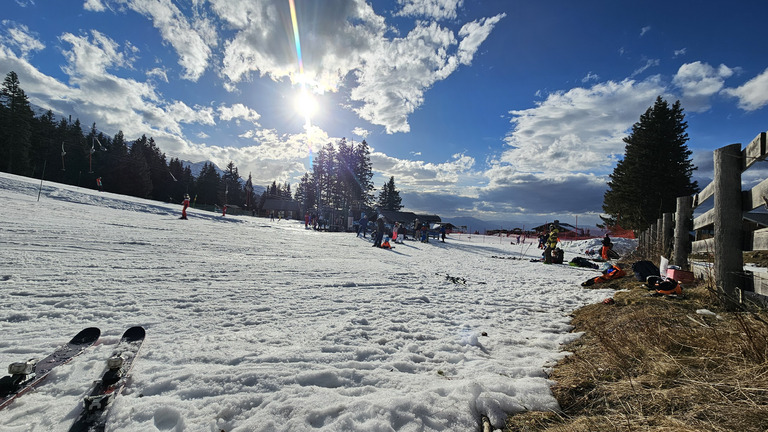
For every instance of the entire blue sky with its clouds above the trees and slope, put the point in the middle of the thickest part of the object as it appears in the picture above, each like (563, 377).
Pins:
(502, 110)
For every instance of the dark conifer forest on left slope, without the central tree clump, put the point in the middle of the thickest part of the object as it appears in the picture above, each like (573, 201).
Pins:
(30, 144)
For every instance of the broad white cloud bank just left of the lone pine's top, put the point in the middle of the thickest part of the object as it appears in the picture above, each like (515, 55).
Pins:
(579, 130)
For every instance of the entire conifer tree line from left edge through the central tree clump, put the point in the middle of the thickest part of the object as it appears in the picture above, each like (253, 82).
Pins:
(340, 180)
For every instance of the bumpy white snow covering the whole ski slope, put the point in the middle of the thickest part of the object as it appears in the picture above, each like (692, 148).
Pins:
(259, 325)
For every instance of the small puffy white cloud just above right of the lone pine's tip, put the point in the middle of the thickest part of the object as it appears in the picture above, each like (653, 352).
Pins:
(699, 81)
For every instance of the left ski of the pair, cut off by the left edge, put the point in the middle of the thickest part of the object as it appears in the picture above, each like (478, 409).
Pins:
(24, 376)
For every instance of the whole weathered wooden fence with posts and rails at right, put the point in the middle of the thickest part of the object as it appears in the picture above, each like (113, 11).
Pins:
(723, 232)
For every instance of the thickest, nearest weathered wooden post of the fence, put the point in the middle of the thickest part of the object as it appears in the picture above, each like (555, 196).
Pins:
(729, 262)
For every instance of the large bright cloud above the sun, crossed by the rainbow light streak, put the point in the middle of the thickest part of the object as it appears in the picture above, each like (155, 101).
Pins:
(348, 39)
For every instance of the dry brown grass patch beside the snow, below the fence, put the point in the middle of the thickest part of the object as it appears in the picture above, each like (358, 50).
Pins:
(655, 364)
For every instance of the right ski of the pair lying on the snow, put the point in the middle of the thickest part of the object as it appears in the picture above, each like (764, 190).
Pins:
(93, 416)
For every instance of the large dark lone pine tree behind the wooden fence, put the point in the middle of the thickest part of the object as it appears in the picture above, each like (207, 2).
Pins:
(655, 170)
